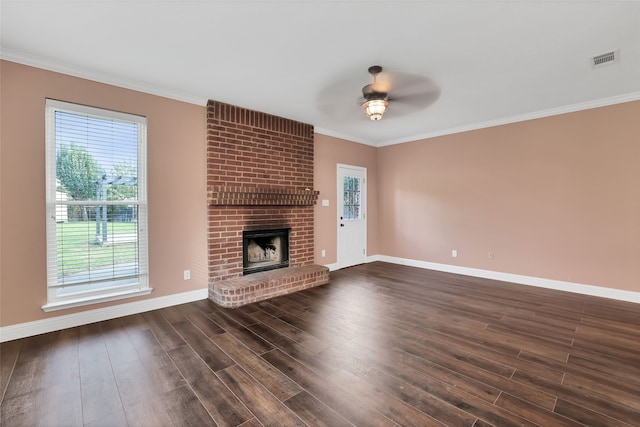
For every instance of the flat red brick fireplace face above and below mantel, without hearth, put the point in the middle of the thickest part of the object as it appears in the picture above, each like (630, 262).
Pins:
(249, 149)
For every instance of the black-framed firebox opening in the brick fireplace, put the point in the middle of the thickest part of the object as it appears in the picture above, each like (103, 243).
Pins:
(264, 250)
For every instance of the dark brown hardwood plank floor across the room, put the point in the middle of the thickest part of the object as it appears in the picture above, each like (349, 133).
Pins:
(382, 344)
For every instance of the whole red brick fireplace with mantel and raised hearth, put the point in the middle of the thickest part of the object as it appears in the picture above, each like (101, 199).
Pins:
(259, 177)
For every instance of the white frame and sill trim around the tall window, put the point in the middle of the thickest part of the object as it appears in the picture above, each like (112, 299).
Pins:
(141, 287)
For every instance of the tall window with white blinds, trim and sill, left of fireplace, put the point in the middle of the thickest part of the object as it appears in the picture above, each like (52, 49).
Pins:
(96, 205)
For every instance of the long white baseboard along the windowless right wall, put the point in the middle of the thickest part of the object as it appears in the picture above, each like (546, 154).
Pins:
(597, 291)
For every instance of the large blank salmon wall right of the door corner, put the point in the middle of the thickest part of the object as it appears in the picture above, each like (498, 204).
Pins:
(555, 198)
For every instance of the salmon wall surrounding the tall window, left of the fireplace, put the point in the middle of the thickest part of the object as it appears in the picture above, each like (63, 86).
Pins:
(176, 186)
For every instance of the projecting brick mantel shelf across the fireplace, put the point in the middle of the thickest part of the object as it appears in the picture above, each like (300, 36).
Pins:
(256, 196)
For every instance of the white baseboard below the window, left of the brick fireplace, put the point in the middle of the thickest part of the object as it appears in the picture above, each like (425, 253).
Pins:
(36, 327)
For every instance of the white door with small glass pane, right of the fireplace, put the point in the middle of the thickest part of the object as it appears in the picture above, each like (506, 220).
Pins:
(352, 219)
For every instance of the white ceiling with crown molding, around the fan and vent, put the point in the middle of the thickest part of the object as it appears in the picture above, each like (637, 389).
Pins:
(483, 62)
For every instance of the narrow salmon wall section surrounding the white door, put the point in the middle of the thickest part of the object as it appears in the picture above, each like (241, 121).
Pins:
(329, 152)
